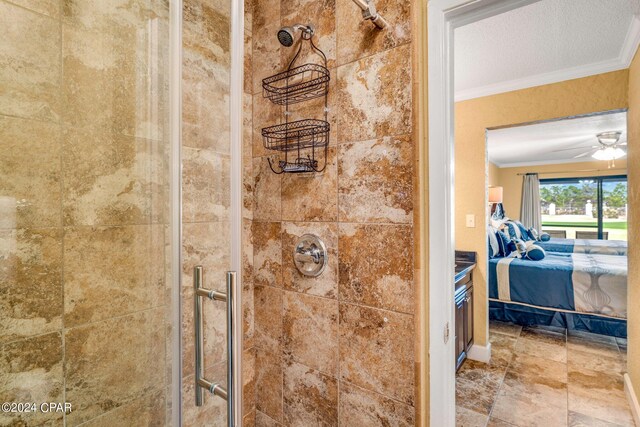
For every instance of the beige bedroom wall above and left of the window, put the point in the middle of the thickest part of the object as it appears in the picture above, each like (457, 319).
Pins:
(511, 182)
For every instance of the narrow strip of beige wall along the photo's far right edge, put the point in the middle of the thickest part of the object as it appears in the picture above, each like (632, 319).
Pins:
(633, 323)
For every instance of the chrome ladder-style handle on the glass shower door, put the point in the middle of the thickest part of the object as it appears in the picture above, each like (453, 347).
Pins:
(201, 383)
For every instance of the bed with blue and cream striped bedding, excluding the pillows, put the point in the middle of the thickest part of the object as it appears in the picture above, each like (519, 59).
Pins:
(583, 291)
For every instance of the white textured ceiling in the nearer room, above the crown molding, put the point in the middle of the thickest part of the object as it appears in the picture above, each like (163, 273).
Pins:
(544, 42)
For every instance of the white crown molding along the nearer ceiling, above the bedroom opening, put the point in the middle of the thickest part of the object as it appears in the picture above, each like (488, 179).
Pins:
(627, 52)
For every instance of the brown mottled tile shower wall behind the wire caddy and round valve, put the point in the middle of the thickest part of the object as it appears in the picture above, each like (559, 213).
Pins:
(338, 349)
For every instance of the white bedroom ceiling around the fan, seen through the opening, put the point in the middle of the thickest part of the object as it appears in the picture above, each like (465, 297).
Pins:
(535, 144)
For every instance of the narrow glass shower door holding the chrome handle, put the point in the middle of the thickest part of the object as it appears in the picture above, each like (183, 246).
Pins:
(210, 213)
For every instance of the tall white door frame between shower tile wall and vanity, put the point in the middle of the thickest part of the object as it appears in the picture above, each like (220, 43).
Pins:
(443, 17)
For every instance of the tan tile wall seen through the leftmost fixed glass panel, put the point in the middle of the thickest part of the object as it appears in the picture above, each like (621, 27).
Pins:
(83, 186)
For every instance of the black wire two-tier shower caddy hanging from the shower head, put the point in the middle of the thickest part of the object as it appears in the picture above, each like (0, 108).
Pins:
(301, 140)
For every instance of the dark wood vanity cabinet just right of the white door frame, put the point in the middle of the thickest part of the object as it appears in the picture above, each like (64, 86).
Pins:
(464, 318)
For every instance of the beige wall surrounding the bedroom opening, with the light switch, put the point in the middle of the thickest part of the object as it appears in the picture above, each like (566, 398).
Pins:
(580, 96)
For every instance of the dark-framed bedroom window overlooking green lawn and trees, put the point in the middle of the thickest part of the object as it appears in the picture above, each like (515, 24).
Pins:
(585, 208)
